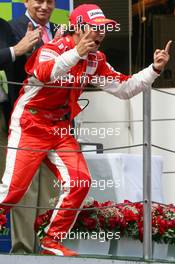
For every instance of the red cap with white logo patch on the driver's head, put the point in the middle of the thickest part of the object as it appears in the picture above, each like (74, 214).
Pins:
(90, 14)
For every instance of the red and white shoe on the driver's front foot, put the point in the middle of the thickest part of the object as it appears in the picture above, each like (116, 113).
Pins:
(53, 247)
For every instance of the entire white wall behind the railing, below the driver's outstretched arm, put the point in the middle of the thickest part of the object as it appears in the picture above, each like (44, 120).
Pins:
(105, 107)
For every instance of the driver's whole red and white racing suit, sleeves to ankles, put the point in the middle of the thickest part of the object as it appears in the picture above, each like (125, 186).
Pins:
(40, 115)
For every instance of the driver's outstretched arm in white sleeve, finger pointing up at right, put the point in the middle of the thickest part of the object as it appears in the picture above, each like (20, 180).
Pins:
(126, 87)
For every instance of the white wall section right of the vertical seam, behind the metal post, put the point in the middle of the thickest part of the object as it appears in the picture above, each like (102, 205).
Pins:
(163, 106)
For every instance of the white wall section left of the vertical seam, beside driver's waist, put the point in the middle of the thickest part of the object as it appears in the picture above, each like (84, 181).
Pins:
(105, 107)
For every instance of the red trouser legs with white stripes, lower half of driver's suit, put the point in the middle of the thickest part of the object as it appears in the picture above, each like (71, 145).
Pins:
(69, 168)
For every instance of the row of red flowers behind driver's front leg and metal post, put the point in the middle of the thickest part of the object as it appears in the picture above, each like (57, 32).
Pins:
(126, 218)
